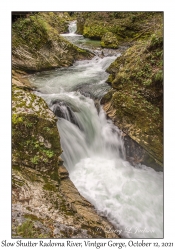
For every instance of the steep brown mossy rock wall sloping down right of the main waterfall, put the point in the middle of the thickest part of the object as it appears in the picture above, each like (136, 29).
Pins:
(136, 101)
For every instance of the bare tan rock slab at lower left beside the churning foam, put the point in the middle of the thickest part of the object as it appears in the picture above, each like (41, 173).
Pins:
(62, 213)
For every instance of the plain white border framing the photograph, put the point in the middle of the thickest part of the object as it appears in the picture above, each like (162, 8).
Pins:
(5, 94)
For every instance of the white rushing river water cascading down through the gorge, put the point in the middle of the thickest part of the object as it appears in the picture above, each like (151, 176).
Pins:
(93, 151)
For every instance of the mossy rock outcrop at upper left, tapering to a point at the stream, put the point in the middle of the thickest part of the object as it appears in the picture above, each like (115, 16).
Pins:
(37, 44)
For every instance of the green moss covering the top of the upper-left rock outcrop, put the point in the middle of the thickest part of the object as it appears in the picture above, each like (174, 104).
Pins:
(37, 29)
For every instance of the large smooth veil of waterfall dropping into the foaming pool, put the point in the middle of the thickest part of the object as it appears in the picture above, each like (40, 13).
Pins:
(84, 132)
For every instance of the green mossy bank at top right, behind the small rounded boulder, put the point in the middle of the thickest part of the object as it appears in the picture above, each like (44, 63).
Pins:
(126, 26)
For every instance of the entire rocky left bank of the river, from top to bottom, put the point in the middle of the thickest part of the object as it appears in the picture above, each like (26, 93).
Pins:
(45, 203)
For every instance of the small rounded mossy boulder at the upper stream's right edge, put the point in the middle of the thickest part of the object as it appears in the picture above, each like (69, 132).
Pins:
(109, 40)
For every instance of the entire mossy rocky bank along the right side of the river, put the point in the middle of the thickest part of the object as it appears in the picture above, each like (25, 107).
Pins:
(135, 102)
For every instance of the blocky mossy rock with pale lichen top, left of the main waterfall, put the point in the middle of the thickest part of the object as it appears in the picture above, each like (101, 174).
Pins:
(35, 138)
